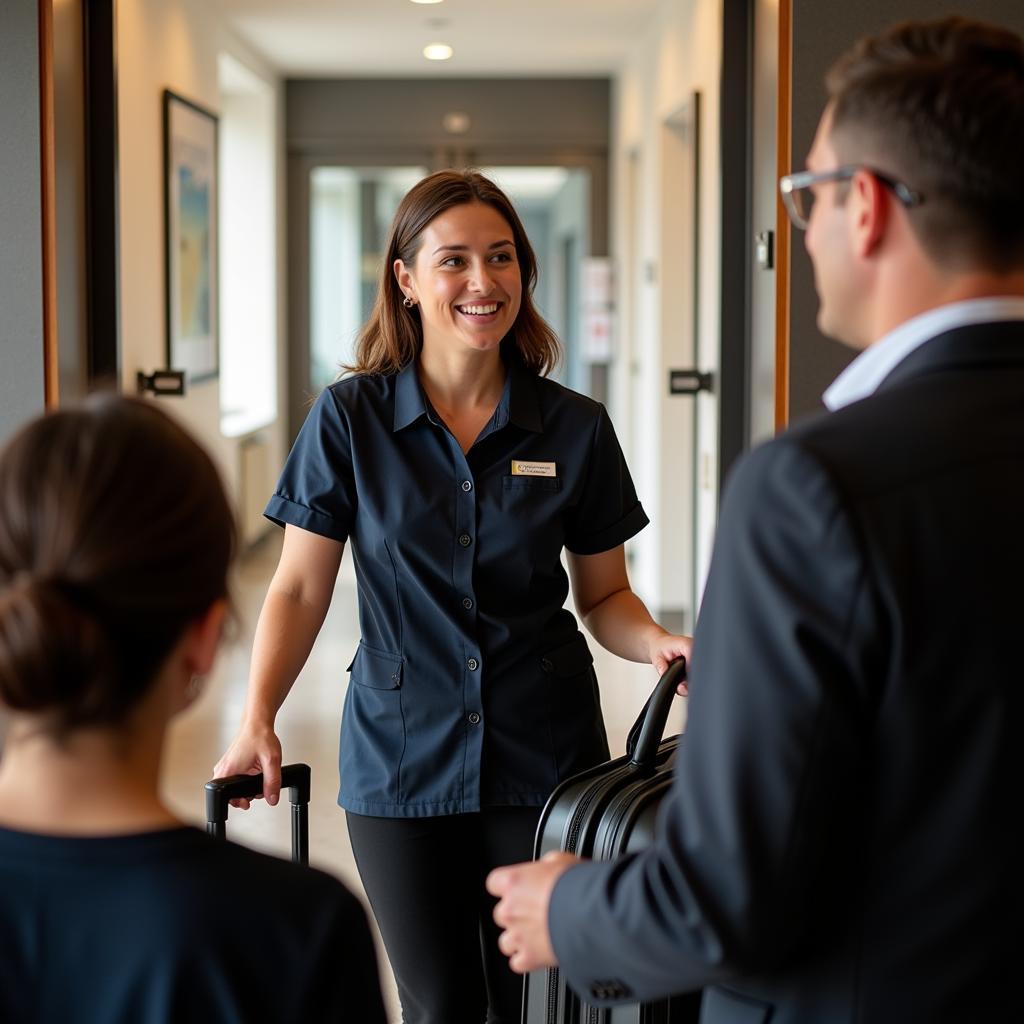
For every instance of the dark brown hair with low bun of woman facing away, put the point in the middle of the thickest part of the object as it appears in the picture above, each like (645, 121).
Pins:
(115, 535)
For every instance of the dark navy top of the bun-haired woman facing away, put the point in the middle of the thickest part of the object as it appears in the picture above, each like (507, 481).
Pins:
(173, 927)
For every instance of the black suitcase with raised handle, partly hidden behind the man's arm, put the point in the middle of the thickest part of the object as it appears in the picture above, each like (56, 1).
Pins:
(603, 814)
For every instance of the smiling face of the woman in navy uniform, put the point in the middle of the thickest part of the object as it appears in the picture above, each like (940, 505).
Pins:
(465, 279)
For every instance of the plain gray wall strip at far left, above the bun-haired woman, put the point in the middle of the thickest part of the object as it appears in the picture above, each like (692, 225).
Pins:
(22, 385)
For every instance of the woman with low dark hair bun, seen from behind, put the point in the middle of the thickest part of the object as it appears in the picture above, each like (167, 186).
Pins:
(116, 540)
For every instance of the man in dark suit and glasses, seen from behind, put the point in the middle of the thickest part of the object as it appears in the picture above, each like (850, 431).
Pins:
(840, 843)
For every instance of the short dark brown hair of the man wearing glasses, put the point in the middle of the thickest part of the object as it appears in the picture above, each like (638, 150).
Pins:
(941, 106)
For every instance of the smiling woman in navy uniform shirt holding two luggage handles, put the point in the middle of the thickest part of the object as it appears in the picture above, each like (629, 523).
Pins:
(458, 473)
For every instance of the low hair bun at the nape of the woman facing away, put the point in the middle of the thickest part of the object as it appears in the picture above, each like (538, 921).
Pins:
(53, 651)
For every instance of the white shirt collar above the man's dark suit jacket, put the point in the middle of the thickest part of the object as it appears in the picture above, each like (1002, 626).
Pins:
(863, 377)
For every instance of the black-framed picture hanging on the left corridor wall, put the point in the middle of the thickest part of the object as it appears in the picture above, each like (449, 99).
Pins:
(191, 230)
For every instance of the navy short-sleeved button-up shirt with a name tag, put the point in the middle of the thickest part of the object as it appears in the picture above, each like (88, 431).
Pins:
(473, 686)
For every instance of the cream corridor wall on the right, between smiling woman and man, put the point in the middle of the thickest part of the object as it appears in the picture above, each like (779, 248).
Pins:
(679, 53)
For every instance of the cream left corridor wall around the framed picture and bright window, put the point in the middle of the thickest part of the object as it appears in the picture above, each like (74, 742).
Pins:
(175, 45)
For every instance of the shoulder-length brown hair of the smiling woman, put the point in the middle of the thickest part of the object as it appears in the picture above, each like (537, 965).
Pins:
(394, 335)
